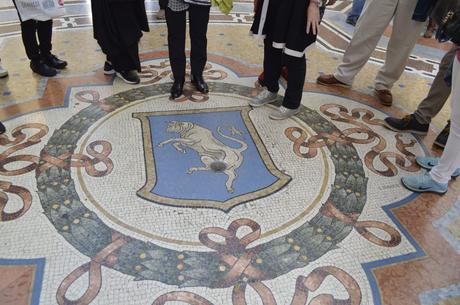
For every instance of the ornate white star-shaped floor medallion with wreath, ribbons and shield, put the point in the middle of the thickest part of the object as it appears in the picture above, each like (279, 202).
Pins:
(202, 198)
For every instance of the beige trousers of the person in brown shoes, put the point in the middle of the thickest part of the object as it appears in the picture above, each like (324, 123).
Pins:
(376, 17)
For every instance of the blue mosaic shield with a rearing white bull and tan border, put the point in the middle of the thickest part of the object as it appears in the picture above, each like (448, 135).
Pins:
(201, 158)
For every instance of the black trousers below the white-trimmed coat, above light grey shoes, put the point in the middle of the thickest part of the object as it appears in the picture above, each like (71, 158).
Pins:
(274, 60)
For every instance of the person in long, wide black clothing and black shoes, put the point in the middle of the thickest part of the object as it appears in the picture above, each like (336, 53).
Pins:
(118, 27)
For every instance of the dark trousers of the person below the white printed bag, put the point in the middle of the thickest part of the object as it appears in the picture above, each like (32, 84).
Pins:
(30, 29)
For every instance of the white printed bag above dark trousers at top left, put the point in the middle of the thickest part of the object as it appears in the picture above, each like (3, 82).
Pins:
(40, 10)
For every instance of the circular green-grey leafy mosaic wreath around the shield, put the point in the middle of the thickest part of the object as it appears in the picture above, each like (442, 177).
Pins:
(147, 261)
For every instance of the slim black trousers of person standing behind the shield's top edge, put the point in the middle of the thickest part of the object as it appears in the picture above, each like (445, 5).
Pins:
(198, 22)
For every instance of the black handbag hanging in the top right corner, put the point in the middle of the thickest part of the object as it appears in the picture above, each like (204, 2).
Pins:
(446, 14)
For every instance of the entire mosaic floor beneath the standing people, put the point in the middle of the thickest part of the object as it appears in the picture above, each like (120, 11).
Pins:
(103, 202)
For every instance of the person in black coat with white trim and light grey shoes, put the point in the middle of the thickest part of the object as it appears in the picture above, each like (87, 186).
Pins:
(288, 28)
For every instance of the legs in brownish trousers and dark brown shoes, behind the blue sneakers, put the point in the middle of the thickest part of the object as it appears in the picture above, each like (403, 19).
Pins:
(419, 121)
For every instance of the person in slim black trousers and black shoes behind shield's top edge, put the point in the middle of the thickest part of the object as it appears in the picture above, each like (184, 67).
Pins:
(198, 11)
